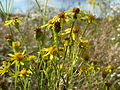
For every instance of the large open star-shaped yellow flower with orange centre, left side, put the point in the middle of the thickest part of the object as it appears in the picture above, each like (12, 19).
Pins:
(19, 57)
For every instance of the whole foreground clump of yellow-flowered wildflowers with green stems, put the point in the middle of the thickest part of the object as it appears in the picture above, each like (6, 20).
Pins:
(55, 66)
